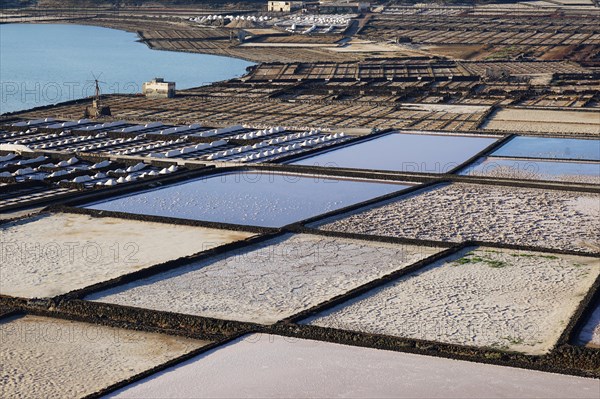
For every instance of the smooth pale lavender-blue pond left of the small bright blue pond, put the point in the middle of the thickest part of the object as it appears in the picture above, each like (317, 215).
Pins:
(406, 152)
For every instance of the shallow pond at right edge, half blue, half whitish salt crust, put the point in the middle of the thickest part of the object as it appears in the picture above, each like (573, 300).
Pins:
(580, 172)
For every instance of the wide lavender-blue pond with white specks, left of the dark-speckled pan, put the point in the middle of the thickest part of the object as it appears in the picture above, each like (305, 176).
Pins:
(250, 198)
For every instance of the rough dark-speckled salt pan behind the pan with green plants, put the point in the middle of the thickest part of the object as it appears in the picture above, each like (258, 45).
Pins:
(461, 212)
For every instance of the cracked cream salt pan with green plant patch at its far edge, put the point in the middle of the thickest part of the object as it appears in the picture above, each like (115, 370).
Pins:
(504, 299)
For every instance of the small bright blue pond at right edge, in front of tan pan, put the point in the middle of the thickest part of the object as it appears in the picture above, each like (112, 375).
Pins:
(551, 148)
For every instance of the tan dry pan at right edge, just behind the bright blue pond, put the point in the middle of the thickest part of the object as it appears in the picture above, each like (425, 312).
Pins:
(544, 121)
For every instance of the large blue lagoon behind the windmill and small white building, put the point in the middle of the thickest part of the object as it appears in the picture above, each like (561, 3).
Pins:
(50, 63)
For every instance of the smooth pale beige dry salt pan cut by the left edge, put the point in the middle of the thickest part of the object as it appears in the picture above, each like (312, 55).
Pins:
(49, 255)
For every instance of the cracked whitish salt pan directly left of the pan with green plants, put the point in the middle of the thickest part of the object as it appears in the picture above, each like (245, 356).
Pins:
(268, 282)
